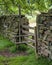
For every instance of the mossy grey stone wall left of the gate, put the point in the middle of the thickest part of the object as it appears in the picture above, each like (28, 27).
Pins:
(9, 26)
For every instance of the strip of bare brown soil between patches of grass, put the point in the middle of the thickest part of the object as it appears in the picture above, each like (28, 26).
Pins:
(6, 53)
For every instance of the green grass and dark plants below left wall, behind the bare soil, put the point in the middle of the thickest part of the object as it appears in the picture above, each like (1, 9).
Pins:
(5, 43)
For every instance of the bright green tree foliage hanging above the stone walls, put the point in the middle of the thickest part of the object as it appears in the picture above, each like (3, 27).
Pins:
(11, 6)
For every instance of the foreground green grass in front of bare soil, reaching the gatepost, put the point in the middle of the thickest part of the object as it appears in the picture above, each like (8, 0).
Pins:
(31, 59)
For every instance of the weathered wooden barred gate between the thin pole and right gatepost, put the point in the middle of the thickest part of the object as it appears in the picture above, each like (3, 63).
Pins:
(28, 37)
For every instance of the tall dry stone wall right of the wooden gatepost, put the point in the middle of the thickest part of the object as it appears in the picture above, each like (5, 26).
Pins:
(44, 30)
